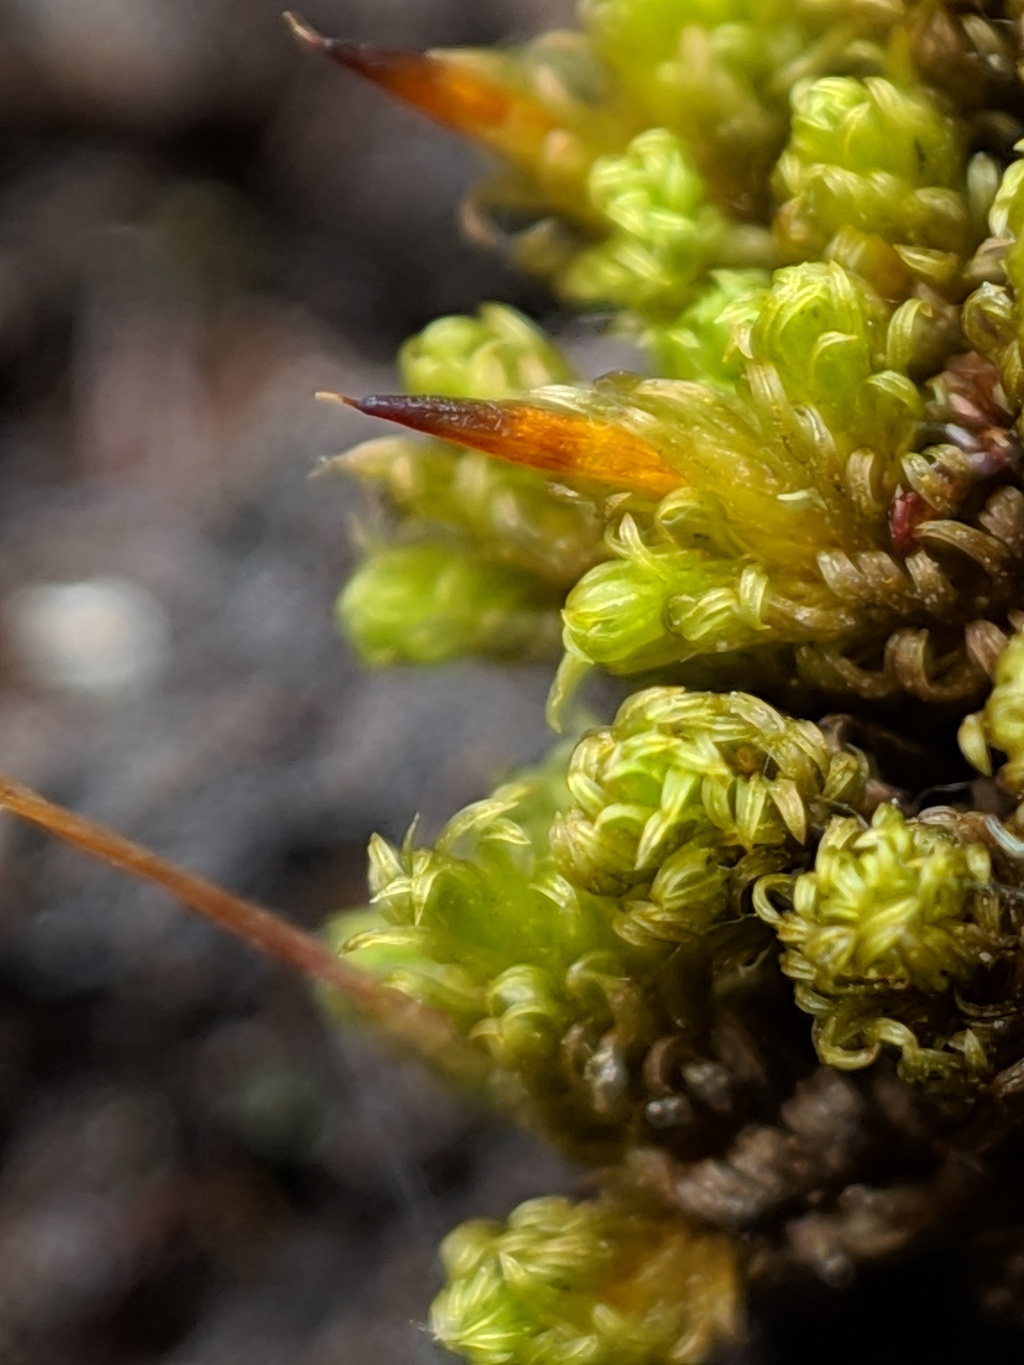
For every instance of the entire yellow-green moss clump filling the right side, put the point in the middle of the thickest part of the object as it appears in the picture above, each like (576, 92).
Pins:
(810, 491)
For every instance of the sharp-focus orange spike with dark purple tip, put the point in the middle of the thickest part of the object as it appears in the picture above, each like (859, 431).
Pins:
(558, 443)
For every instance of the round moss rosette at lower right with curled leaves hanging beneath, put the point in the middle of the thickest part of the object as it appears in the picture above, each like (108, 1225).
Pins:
(894, 922)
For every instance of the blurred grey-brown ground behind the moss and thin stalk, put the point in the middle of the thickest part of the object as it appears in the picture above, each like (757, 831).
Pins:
(201, 226)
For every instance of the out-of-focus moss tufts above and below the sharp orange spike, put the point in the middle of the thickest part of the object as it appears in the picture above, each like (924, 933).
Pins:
(484, 555)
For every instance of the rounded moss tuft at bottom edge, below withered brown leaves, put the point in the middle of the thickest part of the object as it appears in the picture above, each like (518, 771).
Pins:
(604, 1284)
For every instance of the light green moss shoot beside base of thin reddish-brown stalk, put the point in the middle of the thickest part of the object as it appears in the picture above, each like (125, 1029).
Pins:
(491, 933)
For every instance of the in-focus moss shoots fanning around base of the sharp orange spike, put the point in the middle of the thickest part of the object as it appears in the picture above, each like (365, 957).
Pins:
(780, 530)
